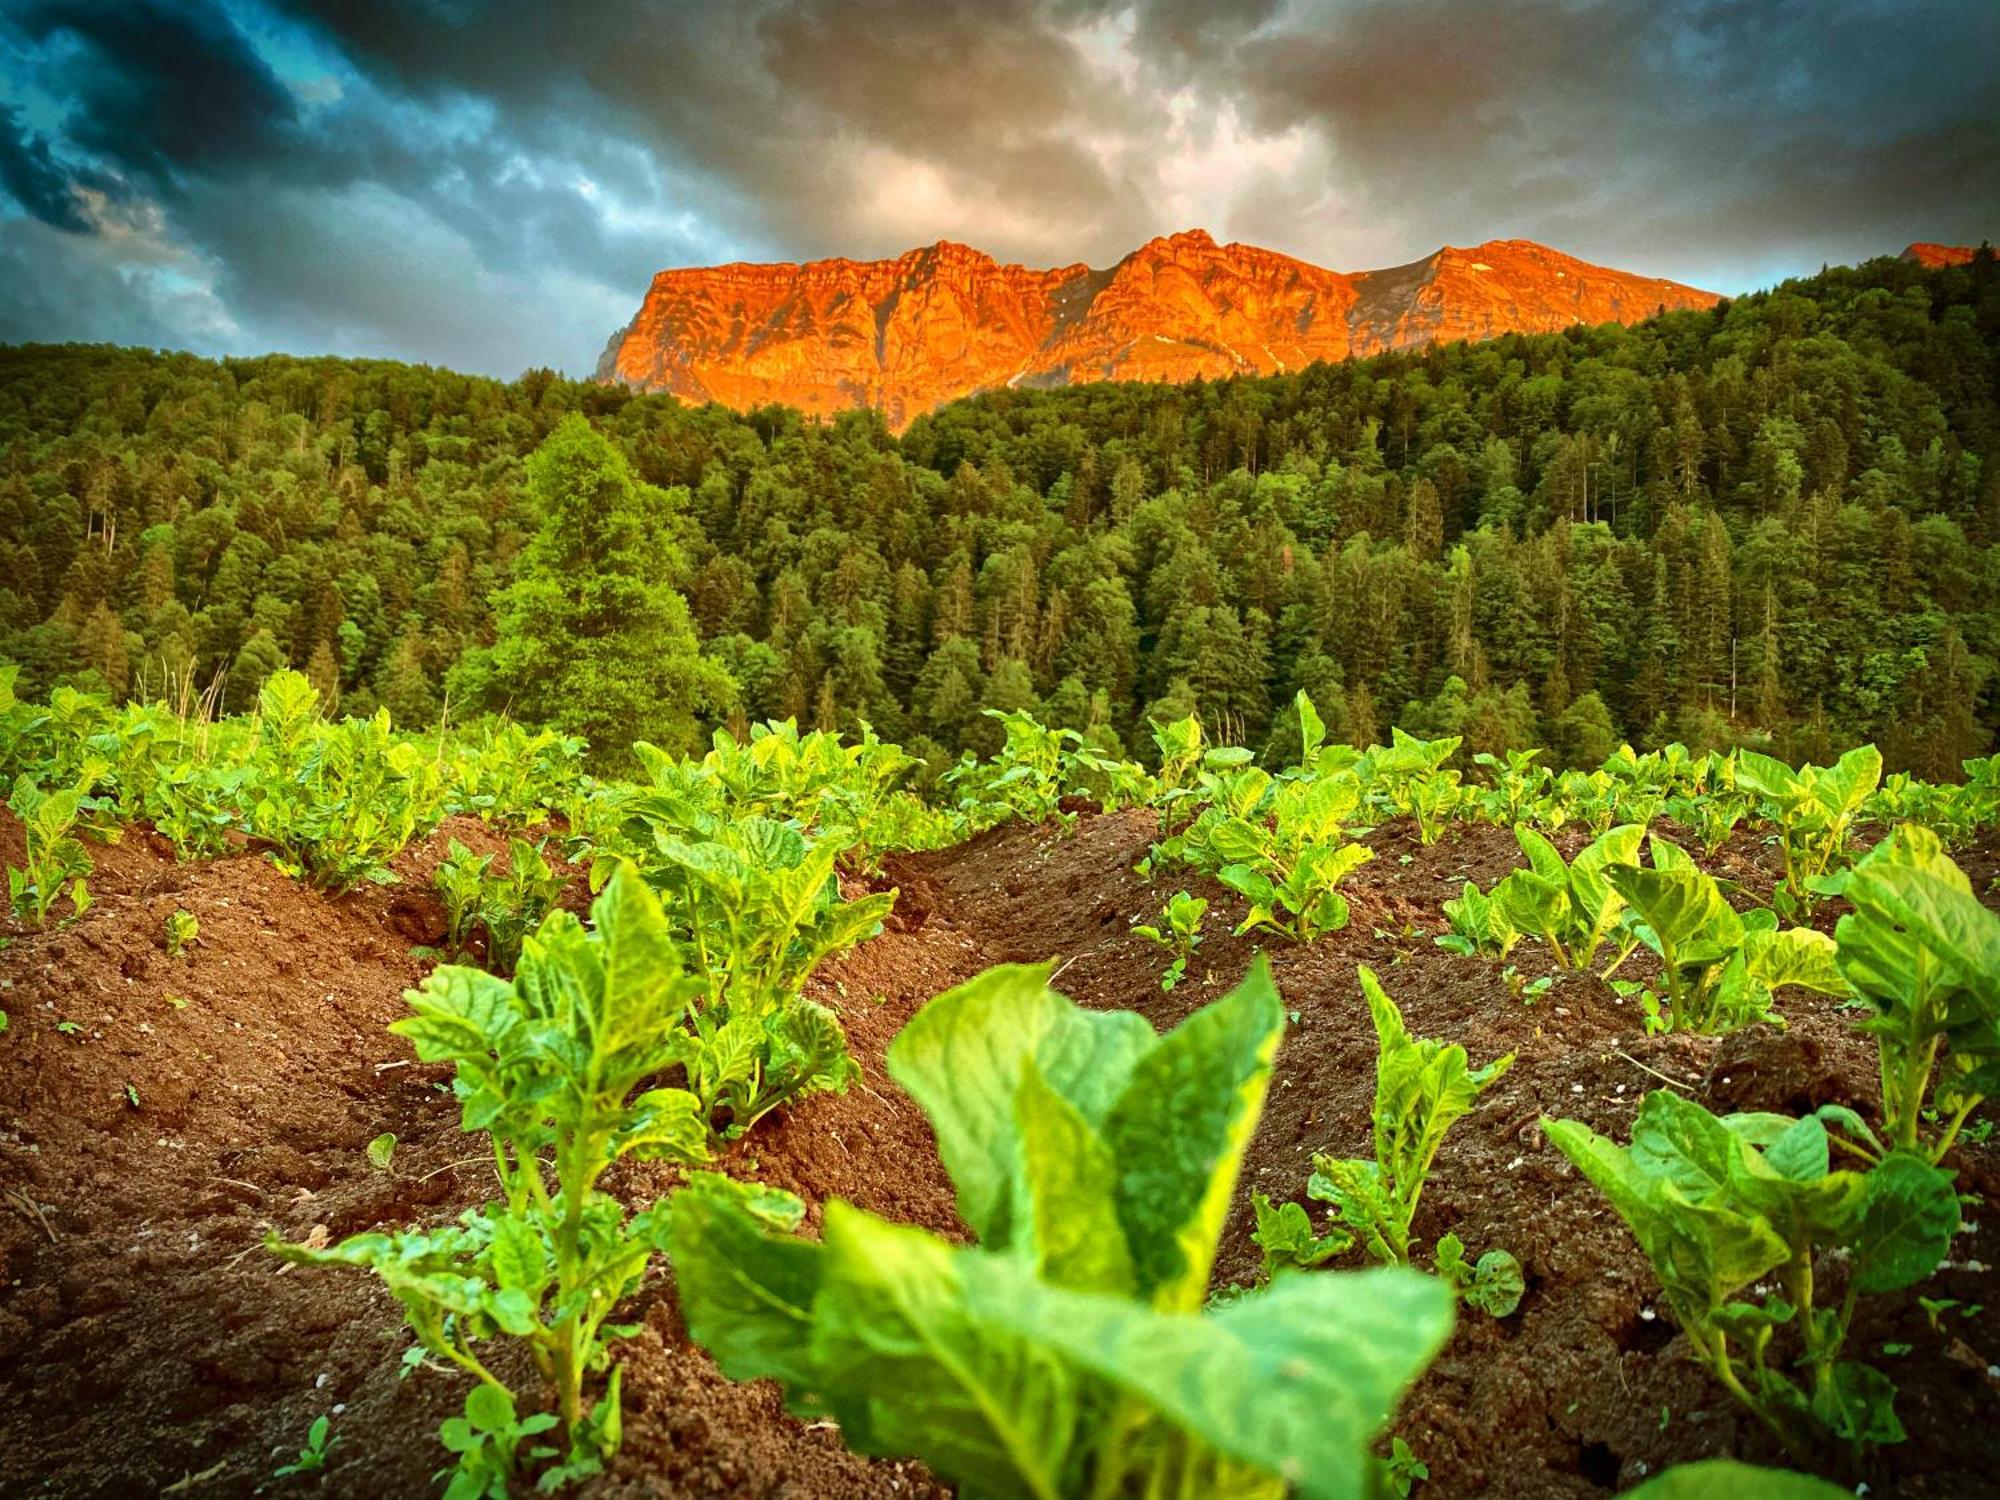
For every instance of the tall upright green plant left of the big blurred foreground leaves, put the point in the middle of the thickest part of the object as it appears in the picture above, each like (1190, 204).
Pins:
(547, 1069)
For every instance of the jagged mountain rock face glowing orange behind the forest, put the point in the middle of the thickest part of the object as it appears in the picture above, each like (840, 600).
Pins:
(939, 323)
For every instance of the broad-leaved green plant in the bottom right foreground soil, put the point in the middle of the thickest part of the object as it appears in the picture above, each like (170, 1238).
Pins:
(1723, 1205)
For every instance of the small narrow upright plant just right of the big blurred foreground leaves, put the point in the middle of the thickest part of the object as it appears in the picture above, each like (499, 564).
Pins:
(1423, 1089)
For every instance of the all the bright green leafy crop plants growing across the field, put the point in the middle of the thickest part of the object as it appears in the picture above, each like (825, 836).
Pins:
(1075, 1349)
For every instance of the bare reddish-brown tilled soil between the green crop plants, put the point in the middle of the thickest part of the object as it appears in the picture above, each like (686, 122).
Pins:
(161, 1115)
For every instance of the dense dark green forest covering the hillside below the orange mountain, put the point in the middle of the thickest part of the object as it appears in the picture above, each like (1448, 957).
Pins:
(1777, 523)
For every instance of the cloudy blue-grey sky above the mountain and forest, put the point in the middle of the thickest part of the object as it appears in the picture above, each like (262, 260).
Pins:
(491, 185)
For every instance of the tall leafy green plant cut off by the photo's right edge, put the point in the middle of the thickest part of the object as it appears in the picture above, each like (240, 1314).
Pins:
(1923, 955)
